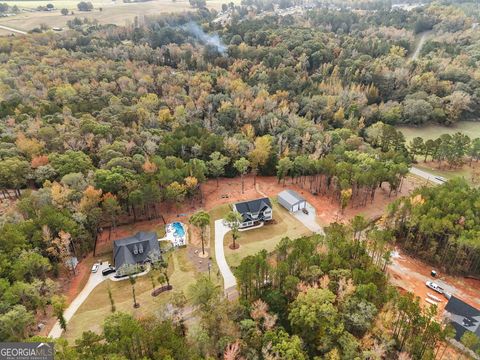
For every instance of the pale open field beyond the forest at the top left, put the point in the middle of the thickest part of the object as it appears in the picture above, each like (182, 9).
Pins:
(117, 13)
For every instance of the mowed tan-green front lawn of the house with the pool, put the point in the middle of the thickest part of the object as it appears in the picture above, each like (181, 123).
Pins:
(92, 313)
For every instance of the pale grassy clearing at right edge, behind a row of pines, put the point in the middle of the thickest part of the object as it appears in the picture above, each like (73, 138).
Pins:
(469, 128)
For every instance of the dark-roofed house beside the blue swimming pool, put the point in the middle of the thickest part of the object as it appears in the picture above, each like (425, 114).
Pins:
(138, 249)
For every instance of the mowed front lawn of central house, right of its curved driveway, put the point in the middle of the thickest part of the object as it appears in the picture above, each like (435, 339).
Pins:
(266, 237)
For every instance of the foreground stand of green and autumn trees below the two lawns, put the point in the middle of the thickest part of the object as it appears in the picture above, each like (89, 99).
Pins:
(313, 297)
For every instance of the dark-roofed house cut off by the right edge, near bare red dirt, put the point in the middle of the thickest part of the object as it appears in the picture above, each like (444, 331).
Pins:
(463, 317)
